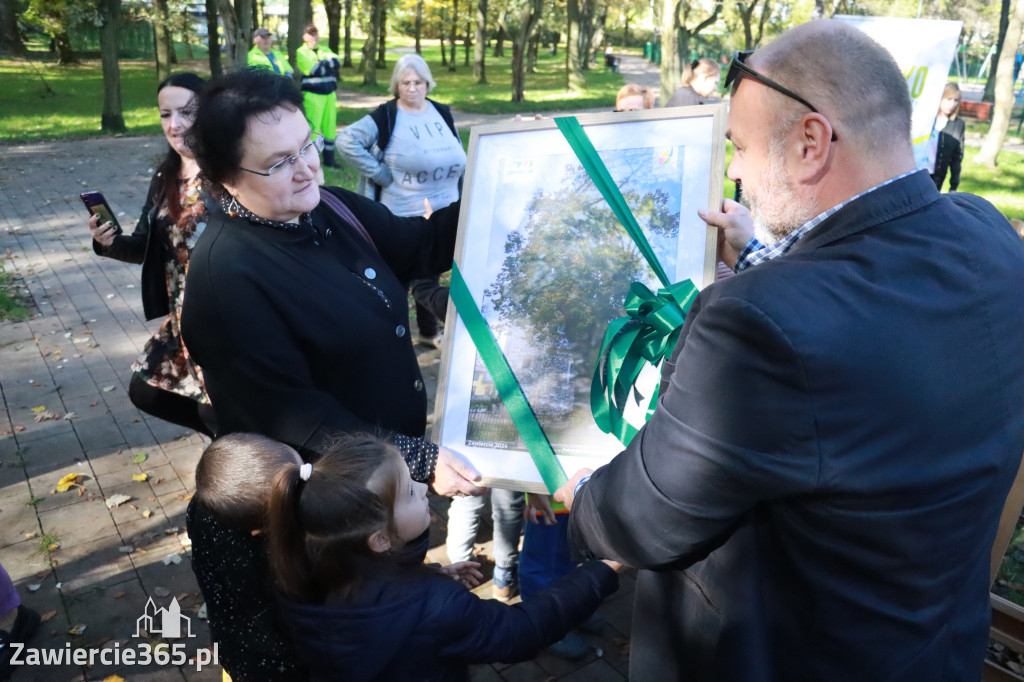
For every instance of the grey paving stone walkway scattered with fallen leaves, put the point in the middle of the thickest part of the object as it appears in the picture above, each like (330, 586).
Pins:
(64, 380)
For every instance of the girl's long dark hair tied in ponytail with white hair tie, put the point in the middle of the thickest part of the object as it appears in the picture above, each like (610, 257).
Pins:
(319, 530)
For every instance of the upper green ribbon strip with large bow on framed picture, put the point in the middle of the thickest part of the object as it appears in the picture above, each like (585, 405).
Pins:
(654, 322)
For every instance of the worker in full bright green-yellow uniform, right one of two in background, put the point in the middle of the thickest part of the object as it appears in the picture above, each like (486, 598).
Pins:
(319, 67)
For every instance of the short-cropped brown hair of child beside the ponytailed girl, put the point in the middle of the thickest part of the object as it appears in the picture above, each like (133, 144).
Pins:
(234, 477)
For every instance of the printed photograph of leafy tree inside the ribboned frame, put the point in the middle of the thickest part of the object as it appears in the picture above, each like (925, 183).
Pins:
(565, 269)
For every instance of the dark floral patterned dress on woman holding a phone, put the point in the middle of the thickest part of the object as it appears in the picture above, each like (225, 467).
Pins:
(165, 363)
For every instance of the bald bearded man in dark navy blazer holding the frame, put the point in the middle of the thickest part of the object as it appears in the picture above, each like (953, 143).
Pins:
(817, 496)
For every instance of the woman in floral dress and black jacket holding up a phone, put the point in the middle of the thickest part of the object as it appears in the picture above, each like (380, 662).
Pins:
(166, 383)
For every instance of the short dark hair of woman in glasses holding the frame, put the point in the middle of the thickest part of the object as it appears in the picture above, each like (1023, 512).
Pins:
(224, 112)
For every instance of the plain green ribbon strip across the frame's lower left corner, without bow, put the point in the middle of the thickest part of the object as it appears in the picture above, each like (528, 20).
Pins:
(505, 381)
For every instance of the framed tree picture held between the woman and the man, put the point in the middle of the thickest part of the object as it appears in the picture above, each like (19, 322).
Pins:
(549, 267)
